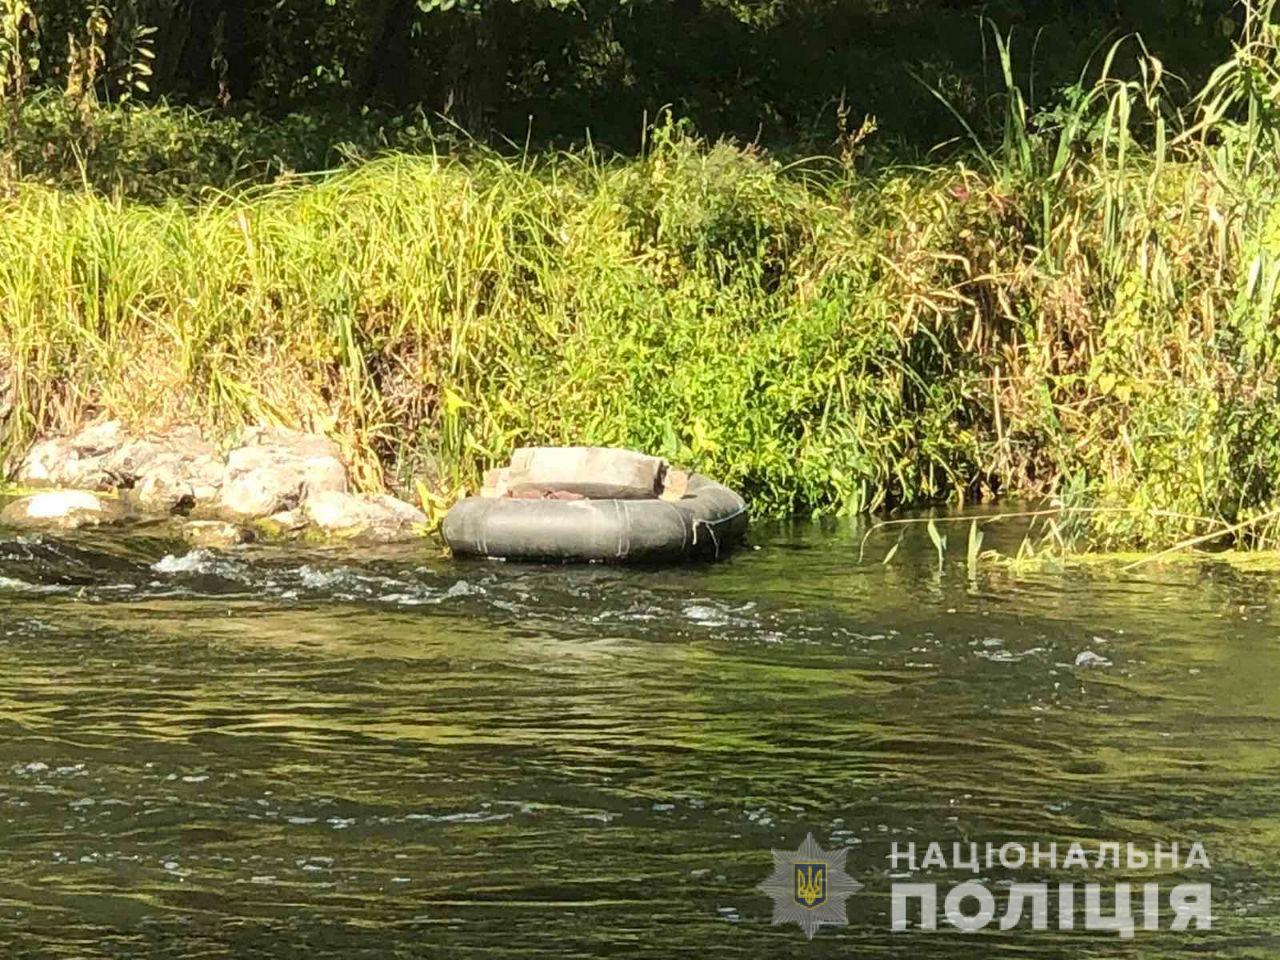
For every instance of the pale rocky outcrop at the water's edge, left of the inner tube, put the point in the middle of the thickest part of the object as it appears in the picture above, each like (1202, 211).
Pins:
(281, 482)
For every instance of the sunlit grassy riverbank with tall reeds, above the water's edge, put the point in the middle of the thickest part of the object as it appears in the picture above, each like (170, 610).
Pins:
(1085, 309)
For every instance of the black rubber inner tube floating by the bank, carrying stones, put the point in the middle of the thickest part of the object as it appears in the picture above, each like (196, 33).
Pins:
(707, 520)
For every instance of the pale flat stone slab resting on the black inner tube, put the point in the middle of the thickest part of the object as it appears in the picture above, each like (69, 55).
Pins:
(592, 472)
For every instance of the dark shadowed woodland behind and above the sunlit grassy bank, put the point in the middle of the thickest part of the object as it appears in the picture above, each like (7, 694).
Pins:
(774, 71)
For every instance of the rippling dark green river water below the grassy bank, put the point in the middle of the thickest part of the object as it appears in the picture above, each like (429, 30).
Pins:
(332, 755)
